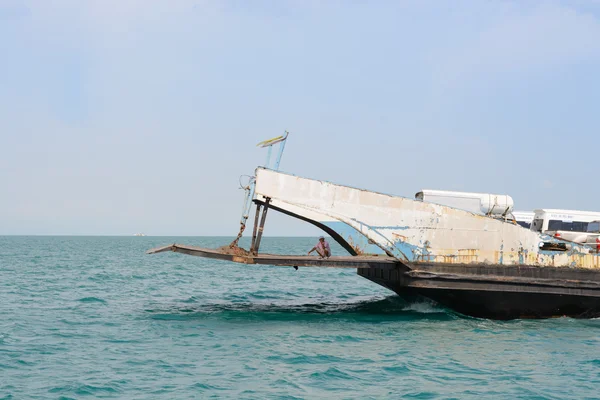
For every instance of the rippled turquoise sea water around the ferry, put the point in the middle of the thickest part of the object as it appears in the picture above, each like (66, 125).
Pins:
(95, 317)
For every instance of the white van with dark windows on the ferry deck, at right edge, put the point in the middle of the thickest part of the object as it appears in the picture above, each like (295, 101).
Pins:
(567, 224)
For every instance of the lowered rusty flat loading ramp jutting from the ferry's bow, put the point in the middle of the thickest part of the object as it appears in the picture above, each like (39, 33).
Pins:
(371, 261)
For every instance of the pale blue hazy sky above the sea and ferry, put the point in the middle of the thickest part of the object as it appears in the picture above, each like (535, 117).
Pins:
(119, 117)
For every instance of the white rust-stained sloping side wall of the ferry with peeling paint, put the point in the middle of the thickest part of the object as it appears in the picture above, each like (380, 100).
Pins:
(413, 231)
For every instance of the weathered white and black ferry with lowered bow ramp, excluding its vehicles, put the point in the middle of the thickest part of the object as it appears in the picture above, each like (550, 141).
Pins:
(478, 265)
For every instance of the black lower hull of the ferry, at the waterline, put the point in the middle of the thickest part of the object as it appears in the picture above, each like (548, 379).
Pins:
(499, 292)
